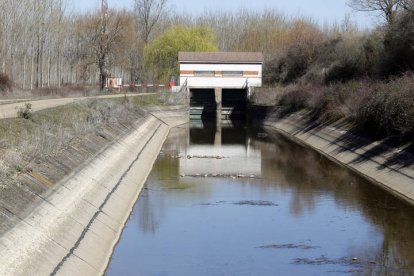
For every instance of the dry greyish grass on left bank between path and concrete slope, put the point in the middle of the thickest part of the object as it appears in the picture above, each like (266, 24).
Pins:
(49, 131)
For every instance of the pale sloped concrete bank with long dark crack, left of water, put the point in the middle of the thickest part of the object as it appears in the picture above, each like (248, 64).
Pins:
(74, 231)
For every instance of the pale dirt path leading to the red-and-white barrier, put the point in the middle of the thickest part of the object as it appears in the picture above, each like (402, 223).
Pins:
(9, 110)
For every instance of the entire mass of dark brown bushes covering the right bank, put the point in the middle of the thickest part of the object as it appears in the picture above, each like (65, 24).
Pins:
(364, 78)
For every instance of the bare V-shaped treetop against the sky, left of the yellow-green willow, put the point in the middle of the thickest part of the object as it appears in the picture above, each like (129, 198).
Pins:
(148, 14)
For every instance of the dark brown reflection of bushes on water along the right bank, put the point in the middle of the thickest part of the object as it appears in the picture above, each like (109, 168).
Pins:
(310, 174)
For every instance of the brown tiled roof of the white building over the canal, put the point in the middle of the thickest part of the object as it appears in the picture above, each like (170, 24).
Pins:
(221, 57)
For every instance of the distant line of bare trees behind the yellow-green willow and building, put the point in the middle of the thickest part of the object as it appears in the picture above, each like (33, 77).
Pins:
(43, 45)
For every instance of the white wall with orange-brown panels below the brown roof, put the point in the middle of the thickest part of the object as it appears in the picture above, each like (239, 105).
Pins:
(250, 72)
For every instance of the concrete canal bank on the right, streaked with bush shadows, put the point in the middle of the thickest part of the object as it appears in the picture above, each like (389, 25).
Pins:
(390, 168)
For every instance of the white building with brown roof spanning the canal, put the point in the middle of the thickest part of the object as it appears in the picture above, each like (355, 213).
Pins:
(234, 70)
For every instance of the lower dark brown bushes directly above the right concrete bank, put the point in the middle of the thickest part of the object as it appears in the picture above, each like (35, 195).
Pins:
(379, 108)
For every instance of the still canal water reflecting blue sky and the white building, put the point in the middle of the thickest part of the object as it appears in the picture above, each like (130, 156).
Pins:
(236, 200)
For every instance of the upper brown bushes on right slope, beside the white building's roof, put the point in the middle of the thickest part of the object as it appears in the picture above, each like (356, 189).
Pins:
(326, 60)
